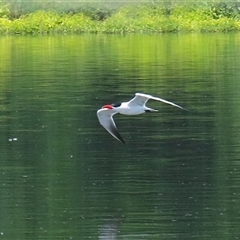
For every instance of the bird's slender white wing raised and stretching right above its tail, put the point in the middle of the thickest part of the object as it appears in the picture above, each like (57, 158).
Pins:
(141, 99)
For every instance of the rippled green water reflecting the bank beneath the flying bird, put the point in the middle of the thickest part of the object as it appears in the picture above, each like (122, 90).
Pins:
(64, 177)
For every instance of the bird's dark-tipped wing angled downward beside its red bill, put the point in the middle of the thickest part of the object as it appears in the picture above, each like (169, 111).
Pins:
(105, 117)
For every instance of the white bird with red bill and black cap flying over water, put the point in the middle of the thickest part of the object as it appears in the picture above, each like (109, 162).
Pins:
(133, 107)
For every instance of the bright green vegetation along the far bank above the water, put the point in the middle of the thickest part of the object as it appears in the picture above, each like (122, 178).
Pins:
(141, 18)
